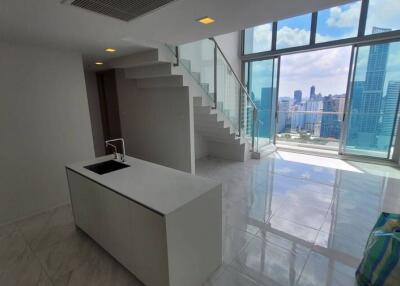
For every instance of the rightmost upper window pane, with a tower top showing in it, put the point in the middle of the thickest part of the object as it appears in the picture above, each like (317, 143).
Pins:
(383, 16)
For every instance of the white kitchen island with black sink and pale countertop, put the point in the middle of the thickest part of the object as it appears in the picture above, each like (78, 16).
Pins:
(162, 224)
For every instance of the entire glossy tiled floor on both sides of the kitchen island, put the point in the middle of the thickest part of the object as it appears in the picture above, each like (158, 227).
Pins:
(289, 219)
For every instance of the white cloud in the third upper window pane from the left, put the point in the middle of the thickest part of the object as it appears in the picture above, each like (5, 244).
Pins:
(344, 18)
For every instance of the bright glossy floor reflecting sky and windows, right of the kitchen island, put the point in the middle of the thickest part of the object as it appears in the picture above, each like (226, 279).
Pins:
(298, 220)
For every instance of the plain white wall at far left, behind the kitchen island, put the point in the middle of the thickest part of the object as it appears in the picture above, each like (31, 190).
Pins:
(45, 124)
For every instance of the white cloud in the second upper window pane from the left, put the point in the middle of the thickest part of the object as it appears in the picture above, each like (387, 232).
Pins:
(292, 37)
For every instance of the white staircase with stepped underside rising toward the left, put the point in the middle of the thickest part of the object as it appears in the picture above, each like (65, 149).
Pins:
(156, 72)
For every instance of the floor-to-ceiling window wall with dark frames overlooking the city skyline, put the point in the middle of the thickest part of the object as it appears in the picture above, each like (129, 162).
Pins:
(325, 99)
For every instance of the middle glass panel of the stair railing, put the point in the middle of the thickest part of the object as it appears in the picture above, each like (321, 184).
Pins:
(228, 91)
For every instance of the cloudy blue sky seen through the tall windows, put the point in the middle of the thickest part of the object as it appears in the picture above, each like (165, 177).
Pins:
(326, 69)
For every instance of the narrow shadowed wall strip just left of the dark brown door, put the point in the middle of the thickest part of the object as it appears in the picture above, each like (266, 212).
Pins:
(95, 113)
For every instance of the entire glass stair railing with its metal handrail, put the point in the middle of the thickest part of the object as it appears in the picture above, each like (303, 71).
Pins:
(208, 66)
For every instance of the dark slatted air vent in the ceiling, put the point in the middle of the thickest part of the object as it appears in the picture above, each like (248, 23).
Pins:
(125, 10)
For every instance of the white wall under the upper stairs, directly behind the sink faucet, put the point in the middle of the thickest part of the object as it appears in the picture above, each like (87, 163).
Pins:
(157, 124)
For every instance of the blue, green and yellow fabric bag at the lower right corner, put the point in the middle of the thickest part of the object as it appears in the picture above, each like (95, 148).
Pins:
(380, 265)
